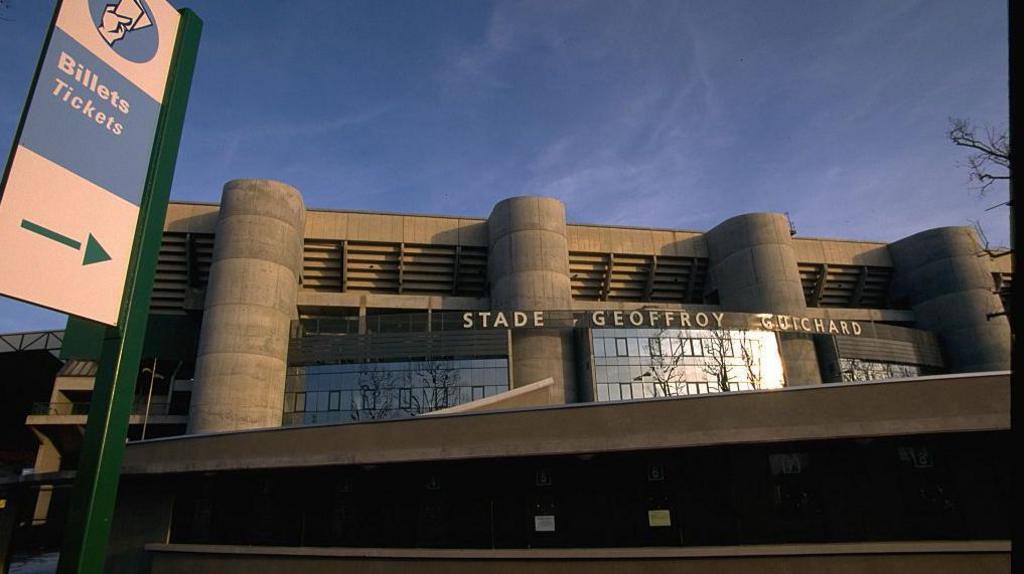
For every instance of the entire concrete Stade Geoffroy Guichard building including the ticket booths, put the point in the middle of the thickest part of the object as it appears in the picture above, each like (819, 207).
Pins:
(331, 389)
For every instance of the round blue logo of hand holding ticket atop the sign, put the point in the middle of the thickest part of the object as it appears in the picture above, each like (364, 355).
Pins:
(127, 27)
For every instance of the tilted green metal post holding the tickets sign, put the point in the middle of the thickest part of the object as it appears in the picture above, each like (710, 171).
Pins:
(84, 547)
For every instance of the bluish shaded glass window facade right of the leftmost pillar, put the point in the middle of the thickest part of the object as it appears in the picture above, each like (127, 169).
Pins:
(340, 393)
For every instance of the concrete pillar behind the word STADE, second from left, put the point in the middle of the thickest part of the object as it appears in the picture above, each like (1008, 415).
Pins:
(529, 269)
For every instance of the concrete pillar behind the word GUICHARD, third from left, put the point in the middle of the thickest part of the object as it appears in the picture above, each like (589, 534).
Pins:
(754, 269)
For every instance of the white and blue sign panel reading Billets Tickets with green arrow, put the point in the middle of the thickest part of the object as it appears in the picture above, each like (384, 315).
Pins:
(71, 196)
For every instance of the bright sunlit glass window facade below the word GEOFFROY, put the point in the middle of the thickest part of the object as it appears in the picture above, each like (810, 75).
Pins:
(641, 364)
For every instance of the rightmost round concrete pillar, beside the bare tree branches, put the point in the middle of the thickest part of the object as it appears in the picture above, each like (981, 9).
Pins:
(946, 276)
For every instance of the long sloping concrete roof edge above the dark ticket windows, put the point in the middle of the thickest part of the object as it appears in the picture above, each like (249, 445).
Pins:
(954, 404)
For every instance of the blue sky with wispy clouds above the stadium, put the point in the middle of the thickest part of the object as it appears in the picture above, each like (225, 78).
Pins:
(659, 113)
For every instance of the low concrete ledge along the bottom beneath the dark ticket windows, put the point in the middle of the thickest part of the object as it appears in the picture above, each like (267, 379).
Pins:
(906, 558)
